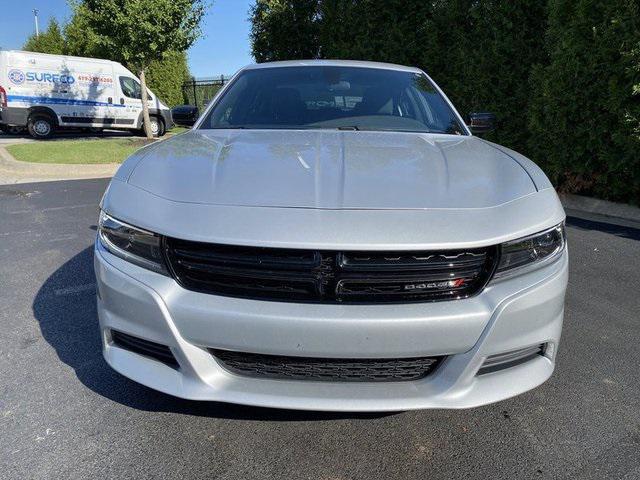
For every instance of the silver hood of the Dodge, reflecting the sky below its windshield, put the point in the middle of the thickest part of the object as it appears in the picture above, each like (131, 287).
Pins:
(329, 170)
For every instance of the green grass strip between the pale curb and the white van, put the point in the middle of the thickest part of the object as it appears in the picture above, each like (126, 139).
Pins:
(70, 152)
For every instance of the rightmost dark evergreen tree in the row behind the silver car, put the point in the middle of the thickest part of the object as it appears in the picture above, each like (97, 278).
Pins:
(582, 119)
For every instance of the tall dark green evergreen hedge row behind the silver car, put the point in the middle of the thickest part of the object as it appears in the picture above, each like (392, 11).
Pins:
(563, 76)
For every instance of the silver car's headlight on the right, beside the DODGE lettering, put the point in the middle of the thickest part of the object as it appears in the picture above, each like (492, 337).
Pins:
(530, 252)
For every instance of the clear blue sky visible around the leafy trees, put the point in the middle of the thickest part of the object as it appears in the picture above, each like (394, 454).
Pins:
(223, 50)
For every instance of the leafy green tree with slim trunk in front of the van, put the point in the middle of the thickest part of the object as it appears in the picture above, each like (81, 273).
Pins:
(138, 33)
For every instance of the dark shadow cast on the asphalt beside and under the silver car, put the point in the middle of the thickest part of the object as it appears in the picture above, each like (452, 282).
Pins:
(65, 308)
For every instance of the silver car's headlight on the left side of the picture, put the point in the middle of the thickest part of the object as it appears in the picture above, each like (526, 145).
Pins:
(130, 243)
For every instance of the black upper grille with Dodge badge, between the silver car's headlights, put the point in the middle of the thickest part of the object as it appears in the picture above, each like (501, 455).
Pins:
(329, 276)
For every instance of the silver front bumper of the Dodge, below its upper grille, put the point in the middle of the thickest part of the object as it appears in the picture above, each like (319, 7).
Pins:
(508, 315)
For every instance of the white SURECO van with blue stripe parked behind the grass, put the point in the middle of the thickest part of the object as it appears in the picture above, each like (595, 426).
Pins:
(45, 92)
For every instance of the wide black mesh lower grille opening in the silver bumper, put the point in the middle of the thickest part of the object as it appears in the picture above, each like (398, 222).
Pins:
(326, 369)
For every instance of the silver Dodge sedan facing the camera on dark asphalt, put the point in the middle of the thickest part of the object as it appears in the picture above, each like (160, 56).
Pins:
(332, 236)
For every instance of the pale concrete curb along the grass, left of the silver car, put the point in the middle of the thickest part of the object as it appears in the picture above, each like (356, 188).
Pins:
(16, 170)
